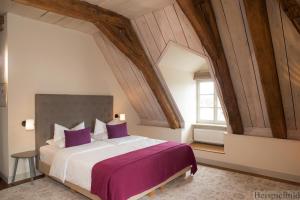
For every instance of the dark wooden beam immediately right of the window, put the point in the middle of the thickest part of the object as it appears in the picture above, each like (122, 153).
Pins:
(201, 15)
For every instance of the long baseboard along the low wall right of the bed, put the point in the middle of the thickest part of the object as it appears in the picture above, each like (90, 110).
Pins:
(262, 172)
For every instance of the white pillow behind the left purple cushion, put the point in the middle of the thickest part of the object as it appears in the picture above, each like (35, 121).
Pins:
(59, 133)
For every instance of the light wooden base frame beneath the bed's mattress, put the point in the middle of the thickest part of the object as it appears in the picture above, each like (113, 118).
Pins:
(45, 169)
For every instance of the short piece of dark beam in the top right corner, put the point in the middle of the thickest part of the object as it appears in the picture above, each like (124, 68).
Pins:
(292, 10)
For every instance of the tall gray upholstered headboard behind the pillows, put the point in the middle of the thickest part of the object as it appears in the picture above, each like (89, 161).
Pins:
(68, 110)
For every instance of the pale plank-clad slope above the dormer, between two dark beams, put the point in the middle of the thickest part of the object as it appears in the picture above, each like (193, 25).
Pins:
(157, 29)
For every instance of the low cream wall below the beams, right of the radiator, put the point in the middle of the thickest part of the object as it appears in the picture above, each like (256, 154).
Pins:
(266, 156)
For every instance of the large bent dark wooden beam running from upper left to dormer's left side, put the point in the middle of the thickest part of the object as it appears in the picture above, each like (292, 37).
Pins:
(120, 32)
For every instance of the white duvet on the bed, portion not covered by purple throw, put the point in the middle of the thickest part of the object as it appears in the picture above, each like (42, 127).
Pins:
(75, 164)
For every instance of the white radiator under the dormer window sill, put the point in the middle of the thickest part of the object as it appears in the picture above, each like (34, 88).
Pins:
(209, 136)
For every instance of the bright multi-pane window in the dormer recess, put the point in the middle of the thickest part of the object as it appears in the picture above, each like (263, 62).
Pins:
(209, 109)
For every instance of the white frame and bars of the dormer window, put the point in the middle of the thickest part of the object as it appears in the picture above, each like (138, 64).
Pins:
(214, 121)
